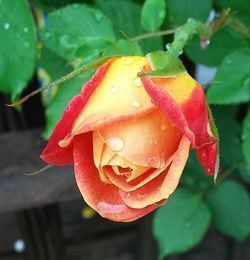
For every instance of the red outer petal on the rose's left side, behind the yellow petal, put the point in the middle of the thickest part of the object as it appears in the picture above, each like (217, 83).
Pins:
(55, 154)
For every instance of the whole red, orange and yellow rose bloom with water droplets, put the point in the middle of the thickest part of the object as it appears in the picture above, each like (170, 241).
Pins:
(129, 138)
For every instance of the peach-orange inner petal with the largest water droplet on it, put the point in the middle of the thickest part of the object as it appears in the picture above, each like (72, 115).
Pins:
(148, 141)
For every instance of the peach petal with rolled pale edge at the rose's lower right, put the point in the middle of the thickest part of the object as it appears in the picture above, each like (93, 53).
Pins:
(162, 186)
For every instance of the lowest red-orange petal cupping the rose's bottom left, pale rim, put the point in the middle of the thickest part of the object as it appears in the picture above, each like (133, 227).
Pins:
(104, 198)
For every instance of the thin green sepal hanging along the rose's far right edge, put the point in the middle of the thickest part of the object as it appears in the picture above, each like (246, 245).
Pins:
(216, 134)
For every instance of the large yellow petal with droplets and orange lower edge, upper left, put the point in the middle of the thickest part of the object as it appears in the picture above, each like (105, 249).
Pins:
(119, 97)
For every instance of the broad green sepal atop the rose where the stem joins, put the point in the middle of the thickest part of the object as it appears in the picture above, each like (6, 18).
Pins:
(164, 65)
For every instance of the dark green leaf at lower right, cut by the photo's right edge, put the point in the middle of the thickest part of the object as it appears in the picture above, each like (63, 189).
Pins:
(229, 203)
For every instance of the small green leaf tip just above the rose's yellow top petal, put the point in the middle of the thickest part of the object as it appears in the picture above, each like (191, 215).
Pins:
(123, 47)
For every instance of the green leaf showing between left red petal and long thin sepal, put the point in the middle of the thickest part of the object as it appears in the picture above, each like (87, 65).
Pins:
(66, 91)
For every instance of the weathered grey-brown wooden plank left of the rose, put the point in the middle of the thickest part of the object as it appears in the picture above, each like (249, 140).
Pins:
(19, 153)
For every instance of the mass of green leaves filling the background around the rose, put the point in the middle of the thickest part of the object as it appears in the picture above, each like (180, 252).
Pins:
(56, 37)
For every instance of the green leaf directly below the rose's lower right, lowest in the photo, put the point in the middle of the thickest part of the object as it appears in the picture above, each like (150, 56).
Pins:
(181, 223)
